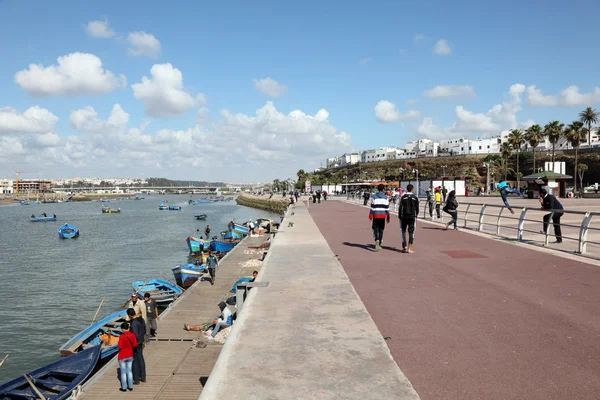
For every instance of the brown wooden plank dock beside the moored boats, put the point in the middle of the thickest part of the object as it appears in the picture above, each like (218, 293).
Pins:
(175, 367)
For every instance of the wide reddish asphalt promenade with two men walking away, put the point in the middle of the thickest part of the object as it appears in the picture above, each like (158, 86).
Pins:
(489, 320)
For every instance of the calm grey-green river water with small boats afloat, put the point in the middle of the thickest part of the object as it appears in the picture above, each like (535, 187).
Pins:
(50, 288)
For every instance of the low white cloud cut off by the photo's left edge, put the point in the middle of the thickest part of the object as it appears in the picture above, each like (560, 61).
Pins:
(34, 120)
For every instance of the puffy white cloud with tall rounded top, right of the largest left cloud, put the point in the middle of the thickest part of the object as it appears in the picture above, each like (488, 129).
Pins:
(163, 93)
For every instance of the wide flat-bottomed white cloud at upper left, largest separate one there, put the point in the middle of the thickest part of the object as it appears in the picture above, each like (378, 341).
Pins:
(75, 74)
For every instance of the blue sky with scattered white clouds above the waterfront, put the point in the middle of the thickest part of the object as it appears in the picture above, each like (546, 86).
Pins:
(252, 91)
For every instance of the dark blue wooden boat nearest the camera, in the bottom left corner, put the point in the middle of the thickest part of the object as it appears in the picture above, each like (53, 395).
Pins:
(55, 381)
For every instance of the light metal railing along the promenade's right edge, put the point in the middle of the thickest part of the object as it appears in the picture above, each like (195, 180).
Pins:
(498, 221)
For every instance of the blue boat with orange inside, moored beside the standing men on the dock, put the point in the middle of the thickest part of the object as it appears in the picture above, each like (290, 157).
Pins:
(105, 333)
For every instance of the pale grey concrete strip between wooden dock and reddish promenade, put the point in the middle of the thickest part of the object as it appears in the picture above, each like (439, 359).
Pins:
(307, 335)
